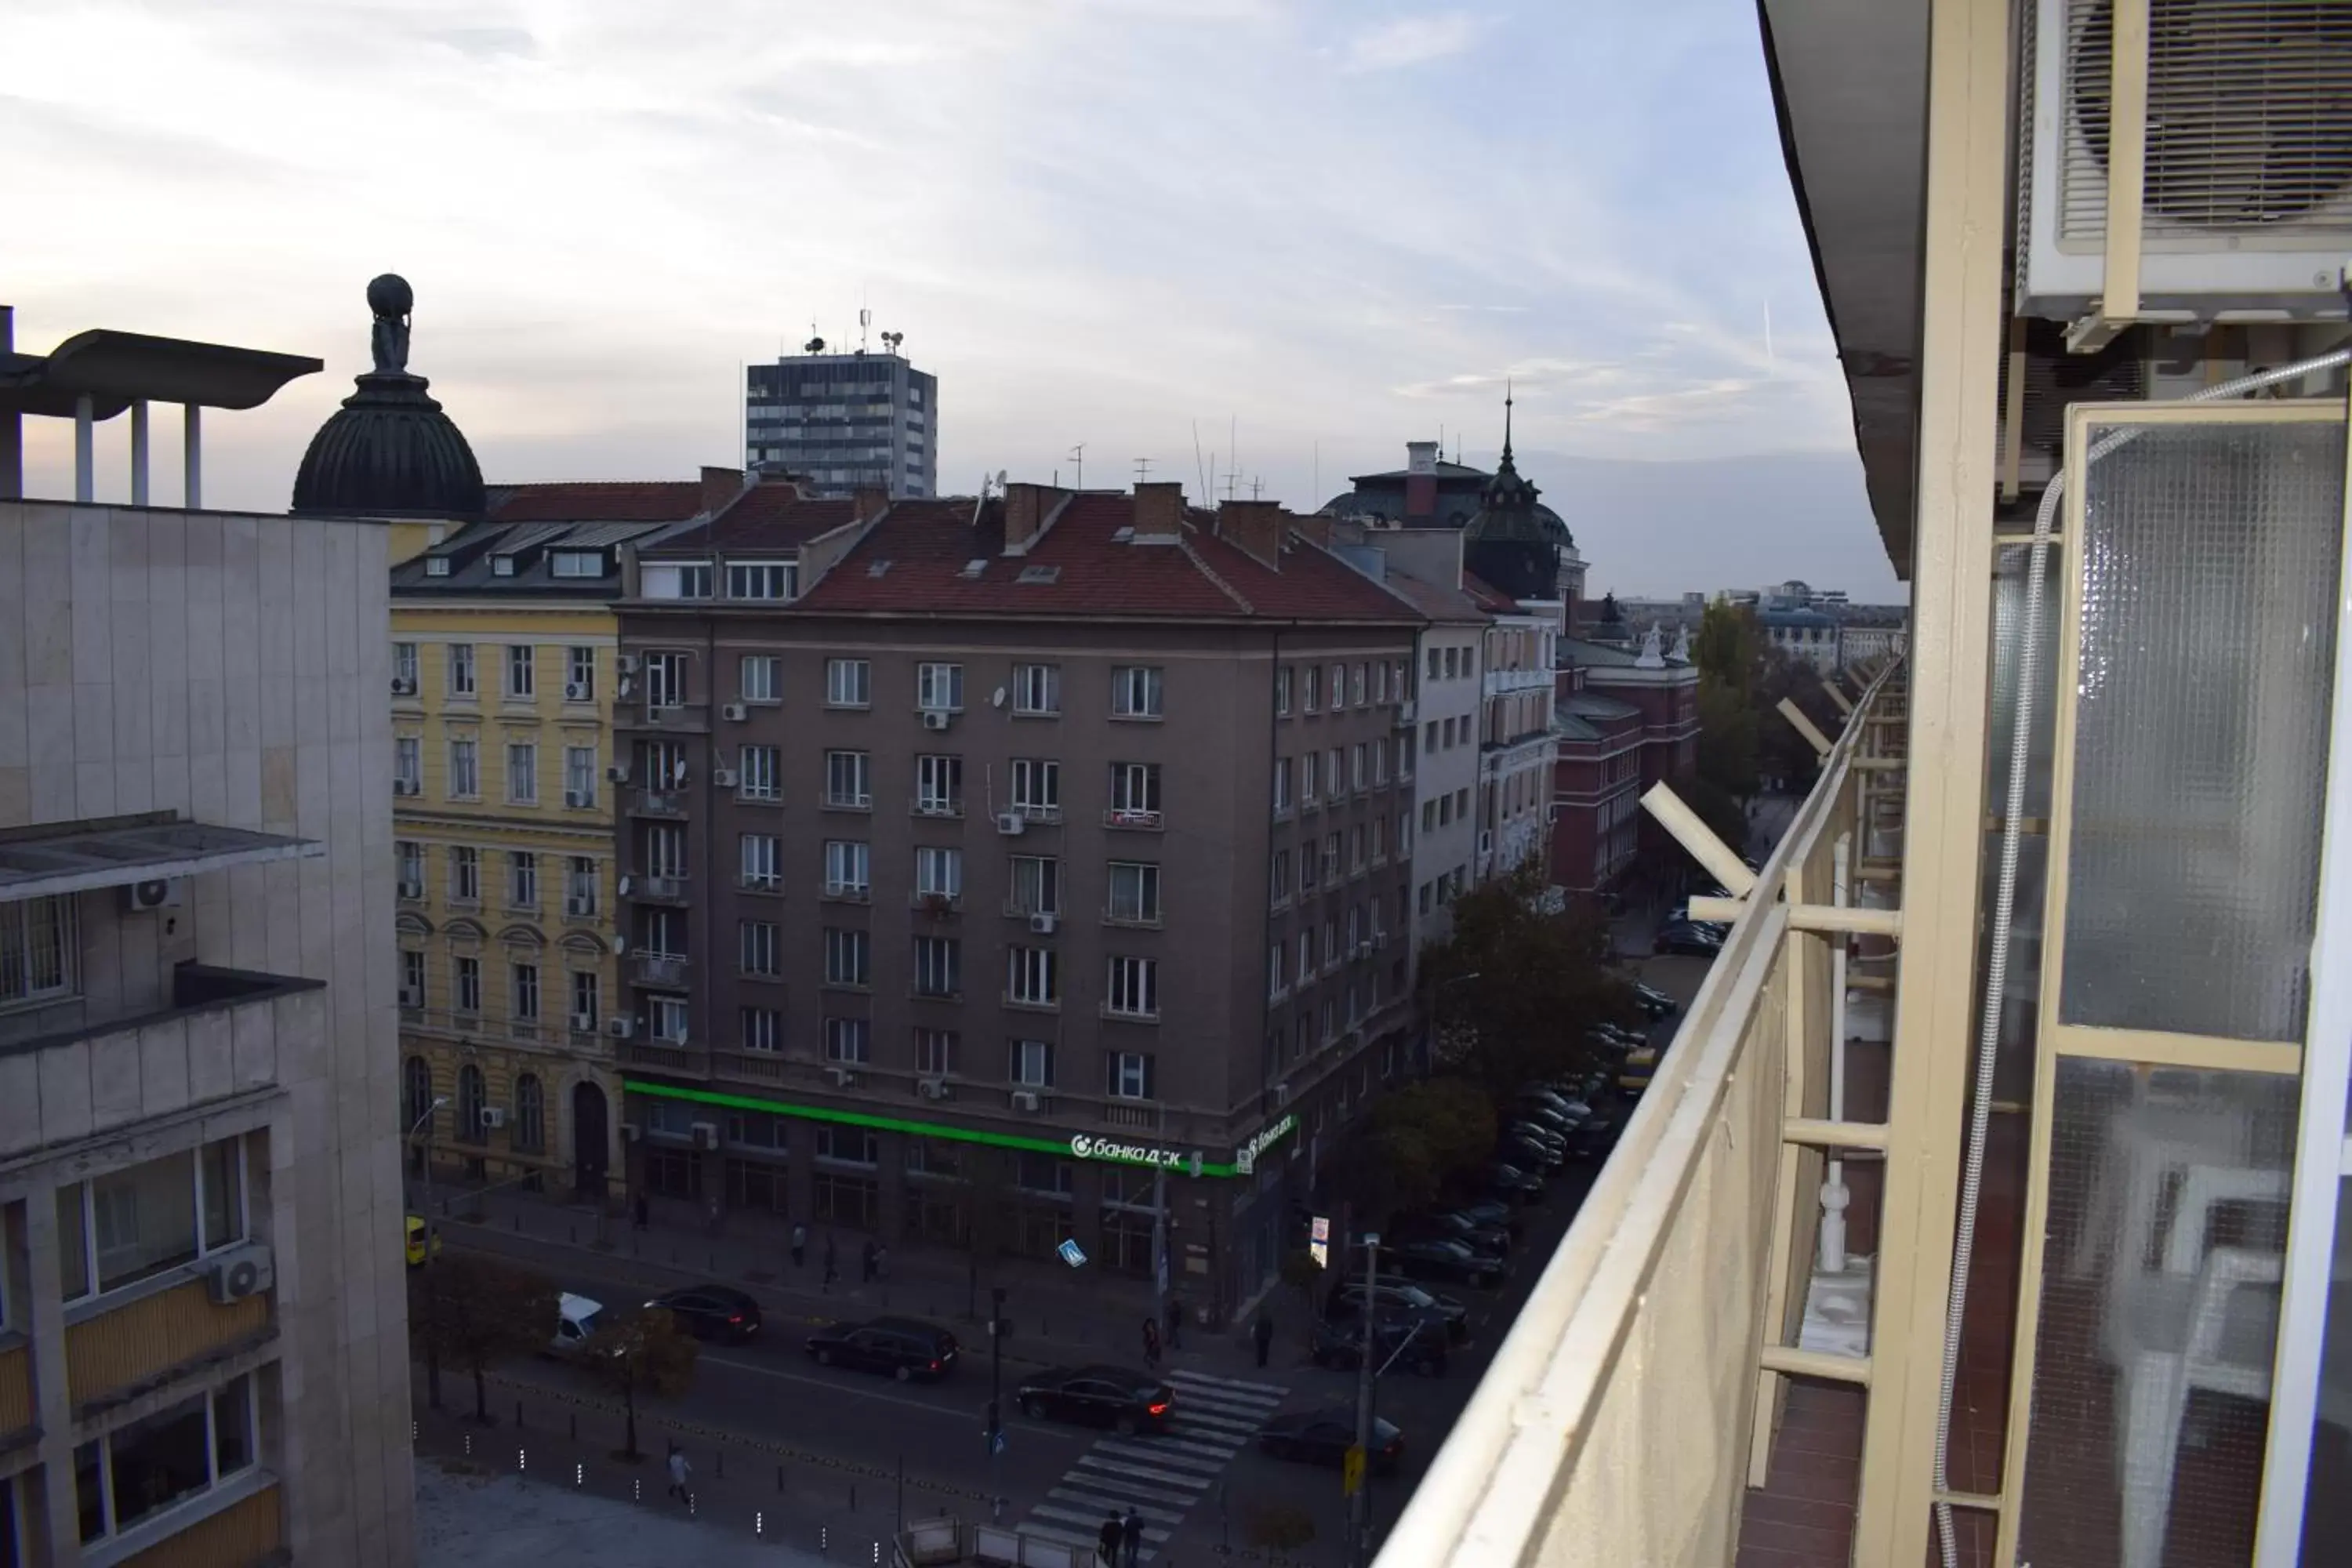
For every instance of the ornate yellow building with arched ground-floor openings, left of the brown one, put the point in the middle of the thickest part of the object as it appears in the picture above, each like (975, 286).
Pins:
(505, 826)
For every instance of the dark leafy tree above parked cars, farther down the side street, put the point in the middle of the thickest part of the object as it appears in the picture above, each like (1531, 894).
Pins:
(1518, 981)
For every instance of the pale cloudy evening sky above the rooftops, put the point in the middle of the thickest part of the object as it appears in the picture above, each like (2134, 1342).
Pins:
(1269, 236)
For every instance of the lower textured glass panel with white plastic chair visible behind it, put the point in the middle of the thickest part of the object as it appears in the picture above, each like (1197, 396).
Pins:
(2160, 1311)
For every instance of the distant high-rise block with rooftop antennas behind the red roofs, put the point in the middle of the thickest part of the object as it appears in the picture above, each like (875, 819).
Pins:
(846, 422)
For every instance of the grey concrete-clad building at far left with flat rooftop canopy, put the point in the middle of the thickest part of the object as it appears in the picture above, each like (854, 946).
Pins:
(203, 1327)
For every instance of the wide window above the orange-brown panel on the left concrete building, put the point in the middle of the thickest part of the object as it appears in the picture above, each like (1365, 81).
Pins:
(149, 1219)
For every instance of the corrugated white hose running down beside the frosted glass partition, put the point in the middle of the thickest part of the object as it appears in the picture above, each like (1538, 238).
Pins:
(2007, 892)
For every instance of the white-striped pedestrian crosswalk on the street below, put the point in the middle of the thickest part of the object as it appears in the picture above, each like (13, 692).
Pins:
(1163, 1475)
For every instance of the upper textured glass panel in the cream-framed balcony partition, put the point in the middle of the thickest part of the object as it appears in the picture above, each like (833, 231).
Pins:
(2200, 751)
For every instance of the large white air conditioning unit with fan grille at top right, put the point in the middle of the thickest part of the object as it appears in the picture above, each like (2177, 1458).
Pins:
(2247, 196)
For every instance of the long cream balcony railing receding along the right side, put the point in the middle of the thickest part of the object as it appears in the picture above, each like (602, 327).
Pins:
(1619, 1412)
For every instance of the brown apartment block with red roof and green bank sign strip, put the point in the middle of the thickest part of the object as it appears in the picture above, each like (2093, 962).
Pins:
(1067, 826)
